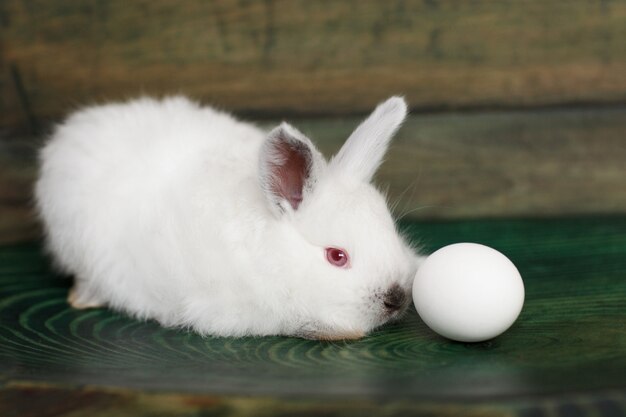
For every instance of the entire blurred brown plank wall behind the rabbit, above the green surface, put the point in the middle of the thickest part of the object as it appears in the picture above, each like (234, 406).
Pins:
(519, 107)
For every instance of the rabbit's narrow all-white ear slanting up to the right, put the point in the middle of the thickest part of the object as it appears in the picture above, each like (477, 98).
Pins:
(364, 150)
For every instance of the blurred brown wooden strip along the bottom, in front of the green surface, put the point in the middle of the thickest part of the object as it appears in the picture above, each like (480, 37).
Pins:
(36, 400)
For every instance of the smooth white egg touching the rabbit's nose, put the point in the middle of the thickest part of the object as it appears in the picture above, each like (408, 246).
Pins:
(468, 292)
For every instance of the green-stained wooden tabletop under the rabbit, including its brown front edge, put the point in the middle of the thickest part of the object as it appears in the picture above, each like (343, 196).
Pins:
(564, 356)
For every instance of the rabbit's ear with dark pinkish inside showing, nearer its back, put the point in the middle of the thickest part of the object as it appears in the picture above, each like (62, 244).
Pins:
(288, 168)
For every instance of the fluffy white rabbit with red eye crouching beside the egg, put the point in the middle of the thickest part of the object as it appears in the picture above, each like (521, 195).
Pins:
(171, 211)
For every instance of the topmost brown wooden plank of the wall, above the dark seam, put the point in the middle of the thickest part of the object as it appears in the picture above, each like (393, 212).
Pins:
(281, 57)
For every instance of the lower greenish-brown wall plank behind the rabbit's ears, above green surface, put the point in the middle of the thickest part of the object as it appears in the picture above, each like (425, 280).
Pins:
(525, 163)
